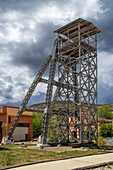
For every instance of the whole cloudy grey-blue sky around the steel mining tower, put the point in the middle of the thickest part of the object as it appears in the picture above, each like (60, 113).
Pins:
(26, 39)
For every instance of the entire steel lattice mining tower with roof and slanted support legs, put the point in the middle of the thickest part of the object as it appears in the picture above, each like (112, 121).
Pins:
(75, 56)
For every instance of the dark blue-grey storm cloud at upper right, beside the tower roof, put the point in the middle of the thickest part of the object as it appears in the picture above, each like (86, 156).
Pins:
(105, 24)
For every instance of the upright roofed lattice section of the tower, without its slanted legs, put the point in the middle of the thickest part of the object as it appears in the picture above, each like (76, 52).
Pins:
(78, 42)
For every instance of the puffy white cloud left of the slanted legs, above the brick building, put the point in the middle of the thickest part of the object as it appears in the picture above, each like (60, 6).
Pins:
(10, 80)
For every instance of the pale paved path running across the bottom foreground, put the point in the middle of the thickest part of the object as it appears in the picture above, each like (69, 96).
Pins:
(69, 164)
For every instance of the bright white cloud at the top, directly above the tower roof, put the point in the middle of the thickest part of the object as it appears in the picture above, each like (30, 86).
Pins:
(71, 10)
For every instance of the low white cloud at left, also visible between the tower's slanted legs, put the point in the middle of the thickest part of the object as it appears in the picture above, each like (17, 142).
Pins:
(19, 84)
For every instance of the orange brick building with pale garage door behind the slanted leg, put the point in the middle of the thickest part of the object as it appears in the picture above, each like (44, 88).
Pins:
(24, 129)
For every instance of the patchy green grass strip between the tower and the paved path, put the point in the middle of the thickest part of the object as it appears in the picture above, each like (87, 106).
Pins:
(19, 155)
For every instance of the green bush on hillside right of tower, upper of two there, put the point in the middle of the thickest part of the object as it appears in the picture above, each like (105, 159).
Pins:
(105, 112)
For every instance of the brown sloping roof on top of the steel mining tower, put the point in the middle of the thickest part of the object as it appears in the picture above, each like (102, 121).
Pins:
(86, 28)
